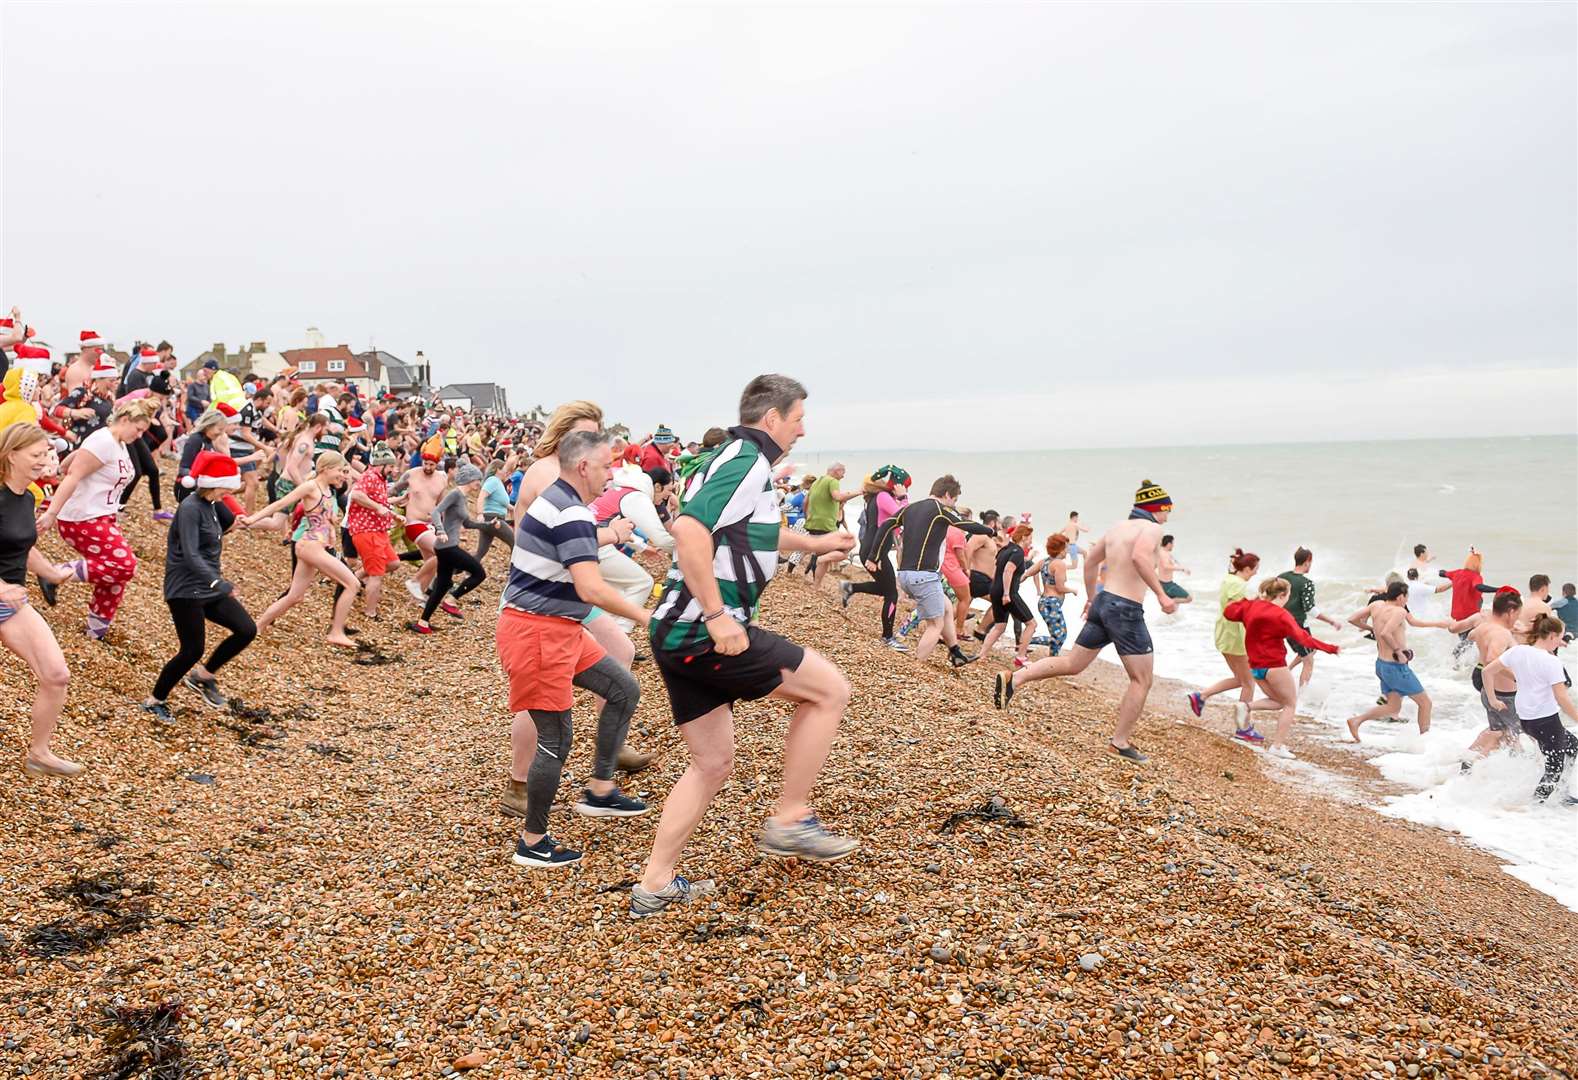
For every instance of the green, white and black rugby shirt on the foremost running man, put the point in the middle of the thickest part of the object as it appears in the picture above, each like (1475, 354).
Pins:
(733, 495)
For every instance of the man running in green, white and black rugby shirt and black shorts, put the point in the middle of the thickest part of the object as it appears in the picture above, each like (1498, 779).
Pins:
(712, 654)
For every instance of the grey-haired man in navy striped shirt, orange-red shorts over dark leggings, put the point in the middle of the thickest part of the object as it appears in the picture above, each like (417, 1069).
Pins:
(547, 653)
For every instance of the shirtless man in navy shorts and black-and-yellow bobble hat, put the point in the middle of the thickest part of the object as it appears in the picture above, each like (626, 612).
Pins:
(1116, 615)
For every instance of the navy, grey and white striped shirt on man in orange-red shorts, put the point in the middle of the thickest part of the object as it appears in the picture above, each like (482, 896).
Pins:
(555, 534)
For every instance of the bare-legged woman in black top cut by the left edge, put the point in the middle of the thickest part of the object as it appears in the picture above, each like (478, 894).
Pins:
(24, 459)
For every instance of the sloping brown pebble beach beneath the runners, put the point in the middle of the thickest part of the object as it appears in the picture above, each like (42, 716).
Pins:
(318, 885)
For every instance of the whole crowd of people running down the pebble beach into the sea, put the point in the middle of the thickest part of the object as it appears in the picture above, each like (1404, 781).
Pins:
(354, 487)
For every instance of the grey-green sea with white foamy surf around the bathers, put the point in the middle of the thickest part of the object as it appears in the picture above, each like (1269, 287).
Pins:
(1361, 508)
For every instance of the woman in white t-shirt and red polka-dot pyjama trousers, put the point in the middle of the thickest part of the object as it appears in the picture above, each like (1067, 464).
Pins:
(86, 504)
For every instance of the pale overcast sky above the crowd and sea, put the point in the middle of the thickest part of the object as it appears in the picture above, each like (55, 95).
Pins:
(984, 227)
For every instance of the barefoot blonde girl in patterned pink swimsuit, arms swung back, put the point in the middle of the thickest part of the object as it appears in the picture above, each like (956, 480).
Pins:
(313, 538)
